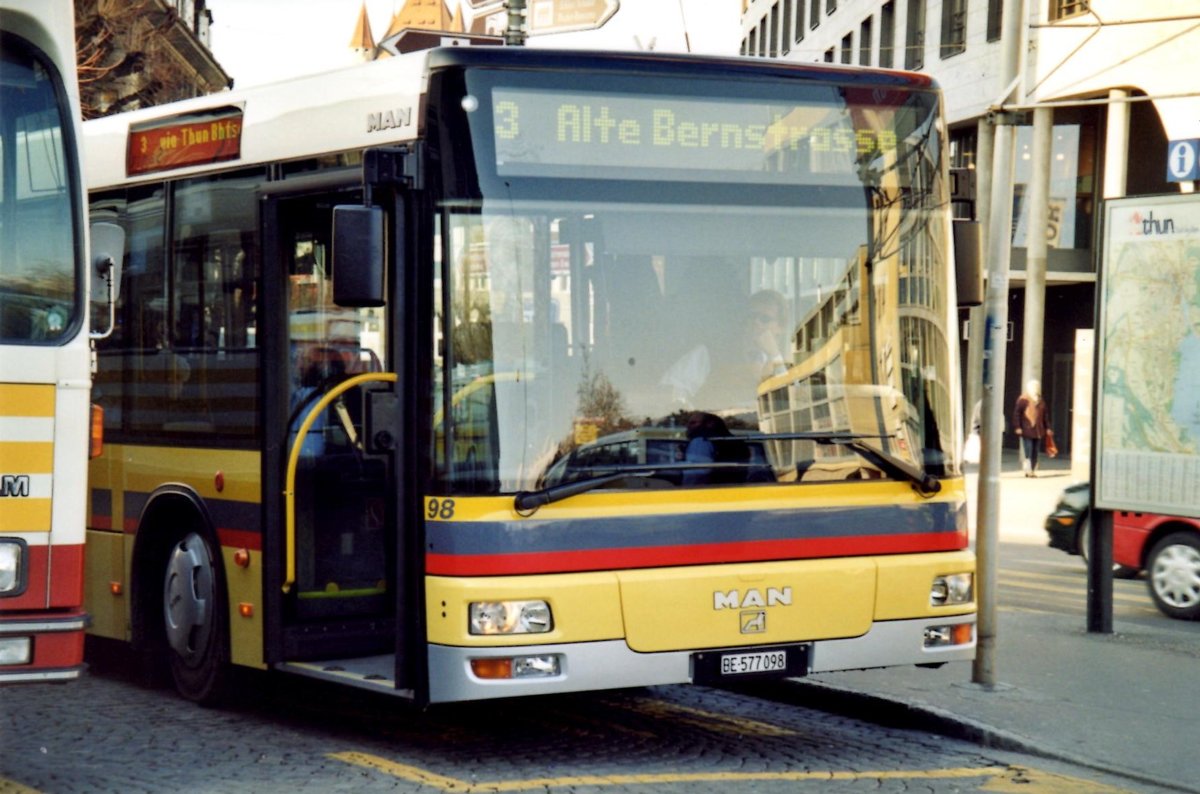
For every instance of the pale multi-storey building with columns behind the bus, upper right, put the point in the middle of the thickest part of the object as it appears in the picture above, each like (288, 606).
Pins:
(1107, 83)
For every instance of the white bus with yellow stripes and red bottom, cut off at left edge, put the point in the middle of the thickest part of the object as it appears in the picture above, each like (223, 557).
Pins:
(45, 360)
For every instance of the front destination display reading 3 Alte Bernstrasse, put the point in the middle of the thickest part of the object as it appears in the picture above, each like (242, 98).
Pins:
(554, 134)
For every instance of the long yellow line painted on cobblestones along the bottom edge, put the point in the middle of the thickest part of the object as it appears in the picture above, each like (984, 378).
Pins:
(998, 779)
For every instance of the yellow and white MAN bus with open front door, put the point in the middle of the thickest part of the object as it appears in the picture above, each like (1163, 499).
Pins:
(465, 375)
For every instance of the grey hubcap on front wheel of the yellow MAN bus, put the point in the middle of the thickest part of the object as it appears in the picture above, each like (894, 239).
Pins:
(188, 598)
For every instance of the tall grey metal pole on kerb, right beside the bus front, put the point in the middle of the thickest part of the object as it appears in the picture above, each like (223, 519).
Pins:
(1000, 249)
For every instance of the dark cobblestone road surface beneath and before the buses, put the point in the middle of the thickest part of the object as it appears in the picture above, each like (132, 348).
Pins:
(106, 733)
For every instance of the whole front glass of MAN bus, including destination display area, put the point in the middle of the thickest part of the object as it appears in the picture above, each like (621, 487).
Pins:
(693, 282)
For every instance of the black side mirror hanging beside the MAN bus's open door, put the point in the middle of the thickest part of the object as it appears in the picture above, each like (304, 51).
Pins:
(358, 256)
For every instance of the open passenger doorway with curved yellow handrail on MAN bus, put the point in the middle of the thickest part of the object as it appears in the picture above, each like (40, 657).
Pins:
(335, 544)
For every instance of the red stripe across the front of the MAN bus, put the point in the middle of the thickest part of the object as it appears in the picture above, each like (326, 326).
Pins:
(705, 555)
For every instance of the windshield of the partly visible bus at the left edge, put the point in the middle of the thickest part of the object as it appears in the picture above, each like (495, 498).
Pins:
(39, 273)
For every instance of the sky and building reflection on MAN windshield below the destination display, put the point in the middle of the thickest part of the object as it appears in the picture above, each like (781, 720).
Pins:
(583, 340)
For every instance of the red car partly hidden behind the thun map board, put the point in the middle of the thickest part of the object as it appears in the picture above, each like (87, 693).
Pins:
(1168, 549)
